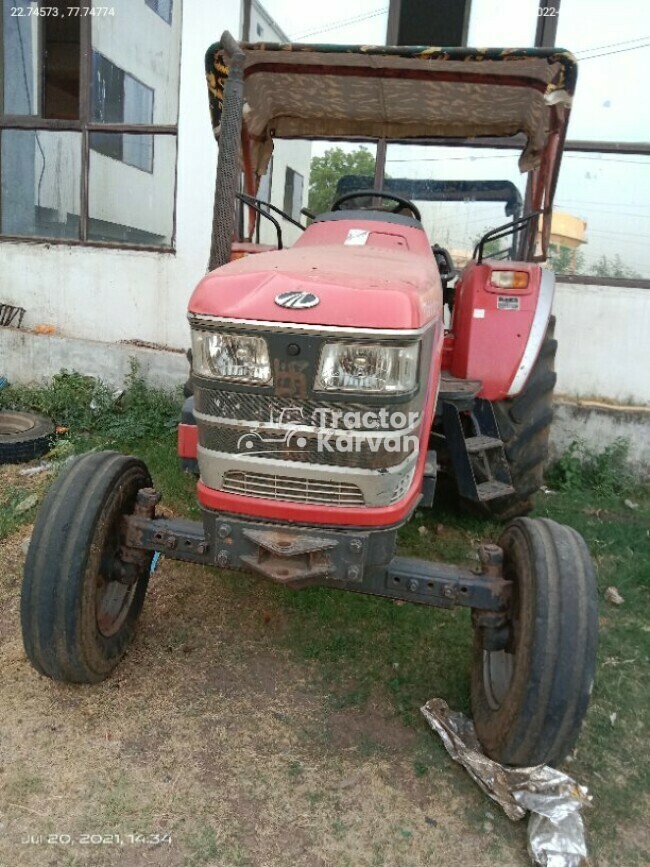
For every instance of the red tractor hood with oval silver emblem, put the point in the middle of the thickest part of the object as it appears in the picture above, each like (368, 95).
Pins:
(358, 273)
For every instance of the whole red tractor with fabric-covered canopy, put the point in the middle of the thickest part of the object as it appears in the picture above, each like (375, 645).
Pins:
(331, 360)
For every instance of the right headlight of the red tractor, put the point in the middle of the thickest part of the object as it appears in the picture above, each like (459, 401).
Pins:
(368, 367)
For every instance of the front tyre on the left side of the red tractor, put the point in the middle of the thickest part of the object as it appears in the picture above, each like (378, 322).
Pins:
(78, 617)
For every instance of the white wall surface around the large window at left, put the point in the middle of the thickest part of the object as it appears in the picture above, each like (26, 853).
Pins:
(114, 295)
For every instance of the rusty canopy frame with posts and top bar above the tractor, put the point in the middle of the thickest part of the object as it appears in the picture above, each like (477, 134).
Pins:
(227, 71)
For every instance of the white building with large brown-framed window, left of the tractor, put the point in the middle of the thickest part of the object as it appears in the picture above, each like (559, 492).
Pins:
(108, 247)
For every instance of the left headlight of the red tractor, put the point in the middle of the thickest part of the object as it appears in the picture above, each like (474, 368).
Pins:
(231, 356)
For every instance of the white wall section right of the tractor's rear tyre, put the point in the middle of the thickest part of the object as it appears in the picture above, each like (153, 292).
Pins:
(603, 335)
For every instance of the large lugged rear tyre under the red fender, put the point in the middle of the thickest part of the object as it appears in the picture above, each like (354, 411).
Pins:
(524, 424)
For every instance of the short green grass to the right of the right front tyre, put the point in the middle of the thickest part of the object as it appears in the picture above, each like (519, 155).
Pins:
(612, 751)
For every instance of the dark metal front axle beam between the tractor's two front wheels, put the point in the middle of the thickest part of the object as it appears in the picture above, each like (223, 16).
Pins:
(350, 559)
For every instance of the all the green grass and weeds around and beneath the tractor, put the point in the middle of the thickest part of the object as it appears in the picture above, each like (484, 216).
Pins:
(360, 647)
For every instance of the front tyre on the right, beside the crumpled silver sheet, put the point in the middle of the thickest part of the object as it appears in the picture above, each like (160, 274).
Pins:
(529, 700)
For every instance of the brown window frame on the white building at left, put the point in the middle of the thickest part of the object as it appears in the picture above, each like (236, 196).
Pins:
(85, 126)
